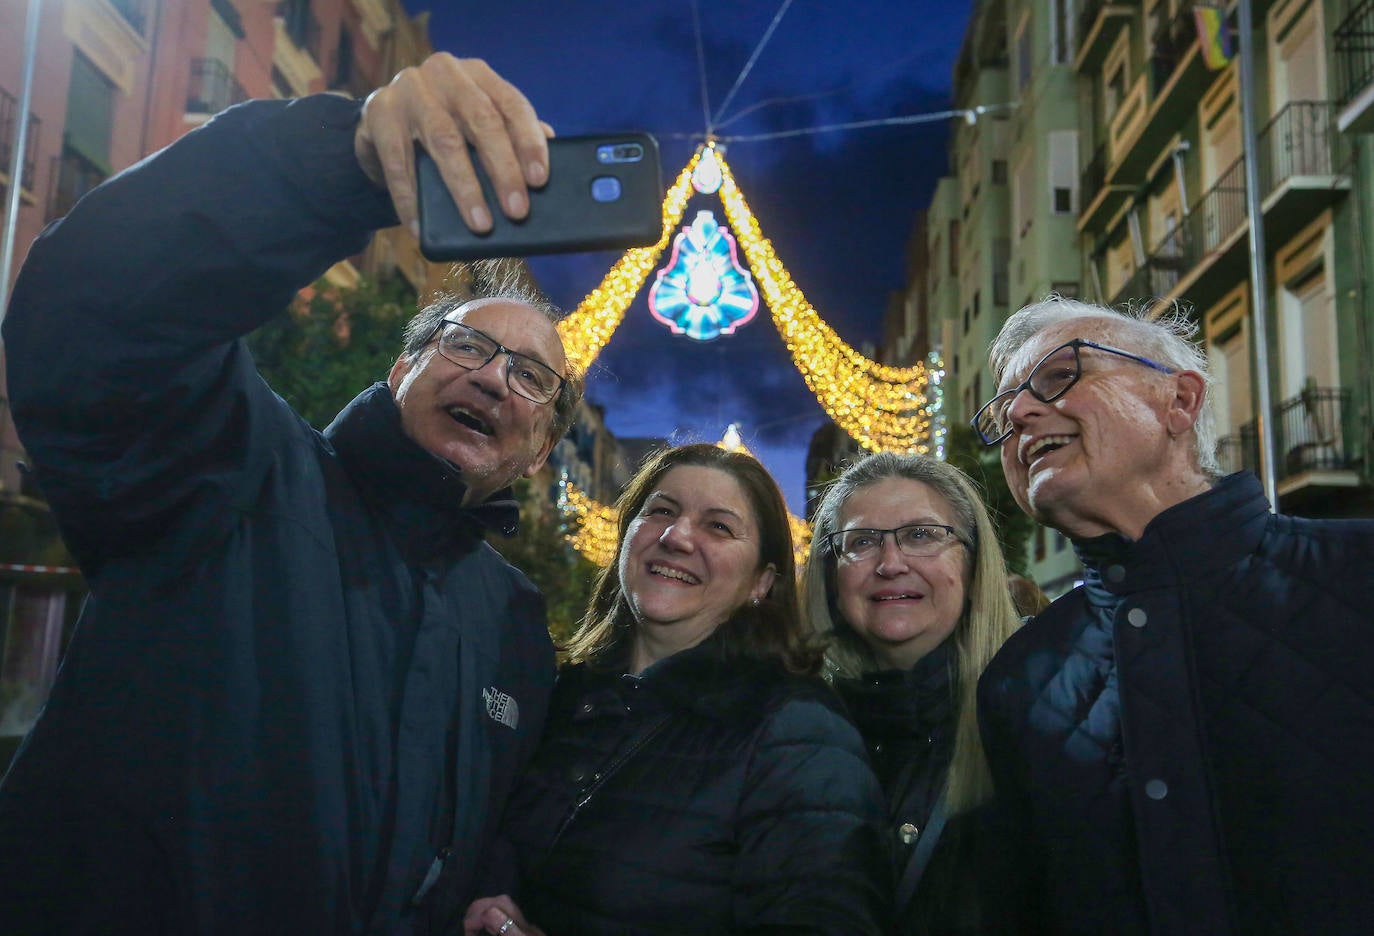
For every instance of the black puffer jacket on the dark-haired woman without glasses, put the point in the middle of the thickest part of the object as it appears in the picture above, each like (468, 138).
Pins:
(700, 798)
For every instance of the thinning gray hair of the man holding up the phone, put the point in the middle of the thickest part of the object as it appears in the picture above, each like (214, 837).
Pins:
(498, 280)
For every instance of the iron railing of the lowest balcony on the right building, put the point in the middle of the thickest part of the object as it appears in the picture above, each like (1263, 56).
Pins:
(1307, 436)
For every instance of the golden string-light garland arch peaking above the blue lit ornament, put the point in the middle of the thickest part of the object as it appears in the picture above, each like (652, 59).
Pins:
(884, 409)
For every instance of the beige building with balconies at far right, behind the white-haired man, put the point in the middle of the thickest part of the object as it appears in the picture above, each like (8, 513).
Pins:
(1166, 218)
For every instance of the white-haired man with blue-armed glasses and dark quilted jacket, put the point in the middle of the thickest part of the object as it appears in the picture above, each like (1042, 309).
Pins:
(1185, 744)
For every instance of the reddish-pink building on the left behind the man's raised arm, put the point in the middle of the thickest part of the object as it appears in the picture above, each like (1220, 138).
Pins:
(116, 80)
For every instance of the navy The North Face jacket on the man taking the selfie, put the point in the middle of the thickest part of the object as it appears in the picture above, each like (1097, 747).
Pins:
(302, 674)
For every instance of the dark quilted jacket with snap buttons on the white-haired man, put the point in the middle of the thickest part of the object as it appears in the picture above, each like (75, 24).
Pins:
(1186, 744)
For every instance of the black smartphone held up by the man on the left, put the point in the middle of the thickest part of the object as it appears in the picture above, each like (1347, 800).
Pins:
(604, 193)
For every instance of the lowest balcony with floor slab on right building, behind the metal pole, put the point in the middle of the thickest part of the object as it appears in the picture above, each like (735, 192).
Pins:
(1311, 458)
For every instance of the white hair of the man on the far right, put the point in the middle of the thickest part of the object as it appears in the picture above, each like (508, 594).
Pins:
(1167, 337)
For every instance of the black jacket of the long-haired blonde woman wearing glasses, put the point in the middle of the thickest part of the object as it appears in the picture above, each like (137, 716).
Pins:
(908, 721)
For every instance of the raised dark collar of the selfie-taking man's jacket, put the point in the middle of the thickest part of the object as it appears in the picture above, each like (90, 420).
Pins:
(420, 495)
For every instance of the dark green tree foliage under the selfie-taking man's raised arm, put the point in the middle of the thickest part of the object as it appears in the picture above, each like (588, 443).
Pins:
(335, 344)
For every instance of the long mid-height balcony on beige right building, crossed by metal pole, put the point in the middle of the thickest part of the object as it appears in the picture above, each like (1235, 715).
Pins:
(1300, 160)
